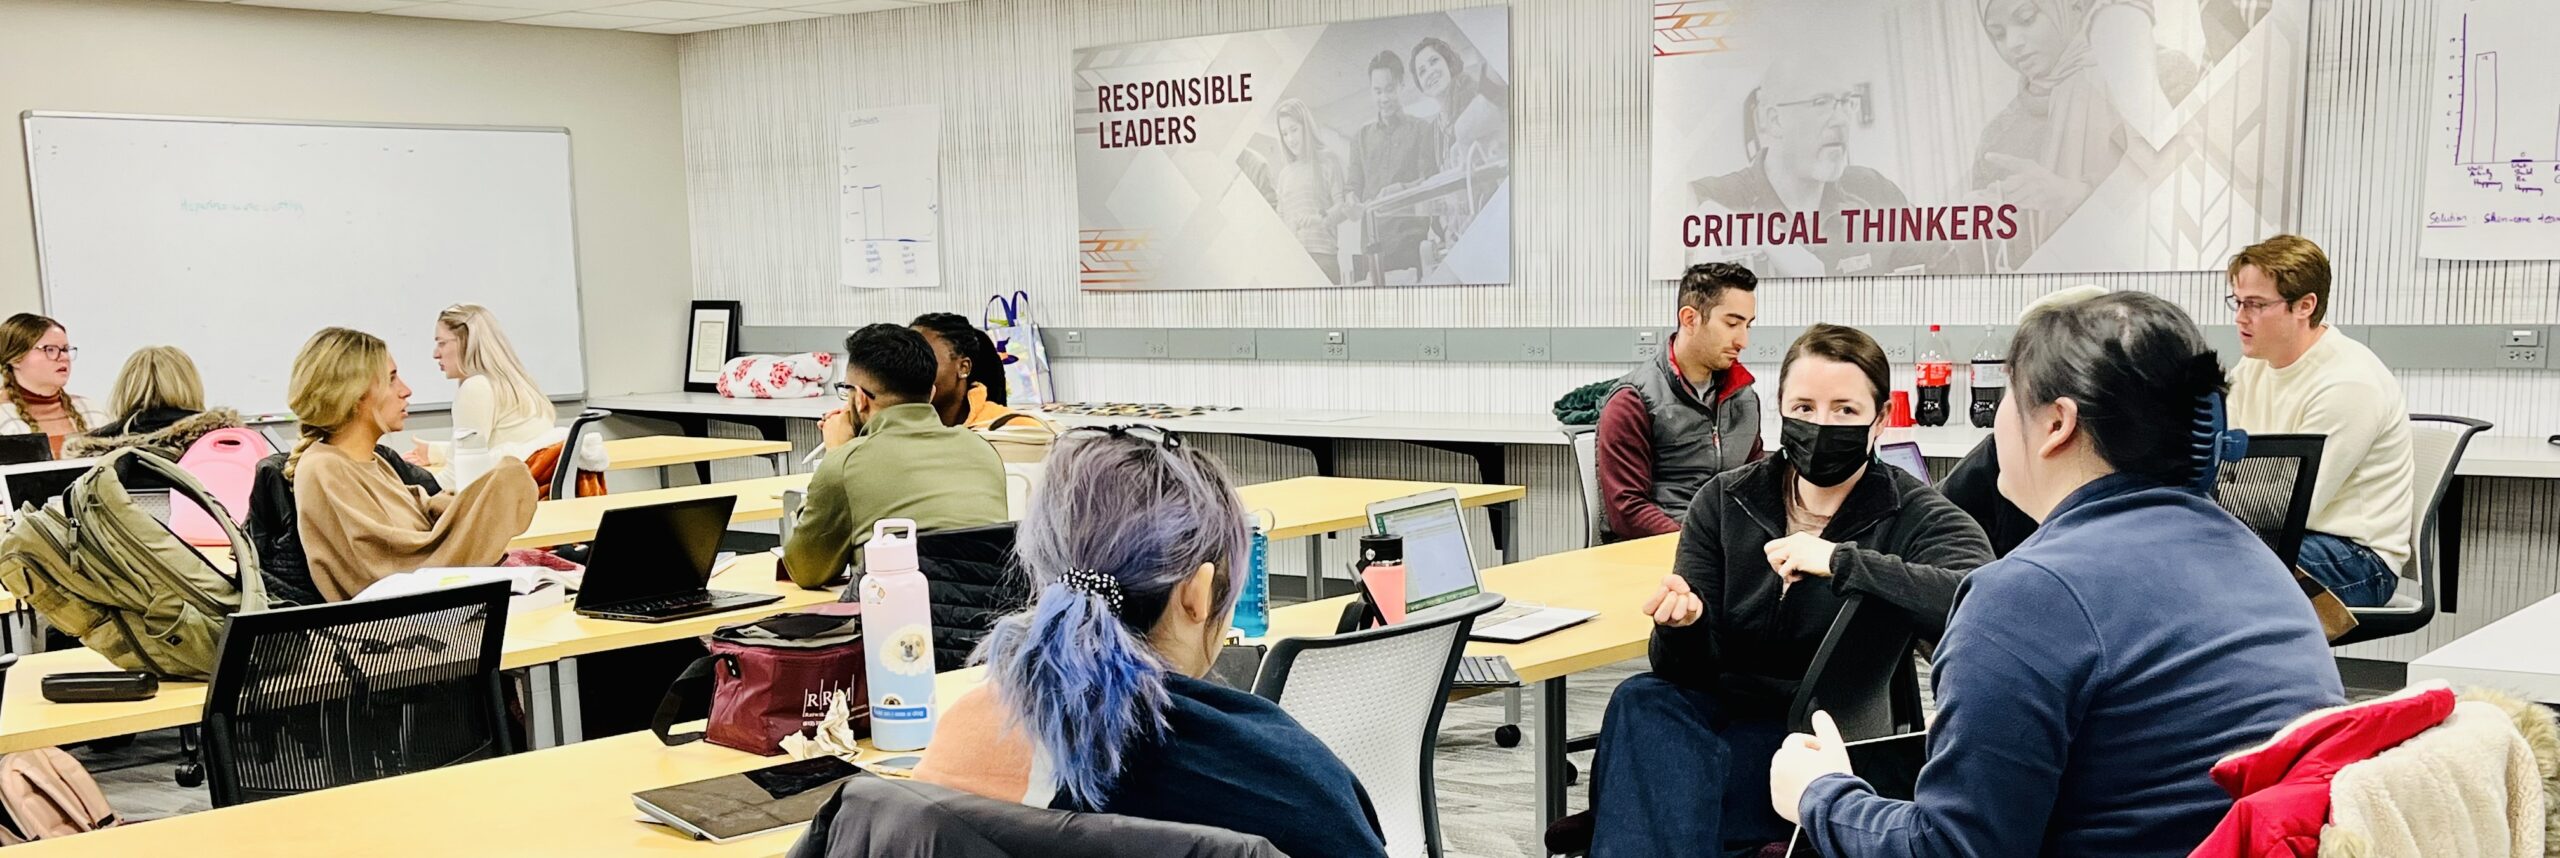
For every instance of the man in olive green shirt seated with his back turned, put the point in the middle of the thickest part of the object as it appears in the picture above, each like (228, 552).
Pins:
(902, 465)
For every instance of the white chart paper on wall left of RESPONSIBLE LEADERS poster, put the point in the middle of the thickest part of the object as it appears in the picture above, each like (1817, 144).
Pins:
(890, 188)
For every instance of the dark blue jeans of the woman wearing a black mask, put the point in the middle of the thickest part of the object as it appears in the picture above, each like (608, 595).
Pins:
(1678, 777)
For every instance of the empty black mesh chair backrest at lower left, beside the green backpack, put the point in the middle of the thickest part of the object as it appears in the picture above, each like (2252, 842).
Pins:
(329, 695)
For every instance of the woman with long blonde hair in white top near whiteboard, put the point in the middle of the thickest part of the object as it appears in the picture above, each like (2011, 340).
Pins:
(498, 411)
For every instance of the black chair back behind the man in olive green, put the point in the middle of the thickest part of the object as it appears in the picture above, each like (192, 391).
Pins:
(972, 583)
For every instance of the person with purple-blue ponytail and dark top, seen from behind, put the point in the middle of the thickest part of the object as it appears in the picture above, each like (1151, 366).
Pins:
(1094, 695)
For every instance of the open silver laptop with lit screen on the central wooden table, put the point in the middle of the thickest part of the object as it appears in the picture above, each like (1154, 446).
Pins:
(1440, 567)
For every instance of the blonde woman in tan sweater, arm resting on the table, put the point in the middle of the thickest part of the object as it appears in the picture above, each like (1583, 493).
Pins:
(360, 524)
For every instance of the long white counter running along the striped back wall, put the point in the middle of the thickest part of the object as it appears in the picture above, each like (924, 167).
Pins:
(2490, 455)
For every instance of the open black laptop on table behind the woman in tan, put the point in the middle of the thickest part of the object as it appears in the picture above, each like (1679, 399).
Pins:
(654, 565)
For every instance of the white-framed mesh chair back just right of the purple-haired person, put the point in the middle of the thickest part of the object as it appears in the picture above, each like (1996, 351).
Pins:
(1376, 700)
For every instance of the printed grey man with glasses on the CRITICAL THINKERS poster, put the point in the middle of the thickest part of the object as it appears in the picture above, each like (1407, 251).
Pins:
(1796, 132)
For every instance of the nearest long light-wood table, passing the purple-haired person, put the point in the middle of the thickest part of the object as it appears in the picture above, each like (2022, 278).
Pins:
(577, 800)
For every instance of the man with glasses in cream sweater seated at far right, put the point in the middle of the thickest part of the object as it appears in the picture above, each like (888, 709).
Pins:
(2305, 378)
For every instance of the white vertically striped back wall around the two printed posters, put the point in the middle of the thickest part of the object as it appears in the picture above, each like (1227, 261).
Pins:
(762, 111)
